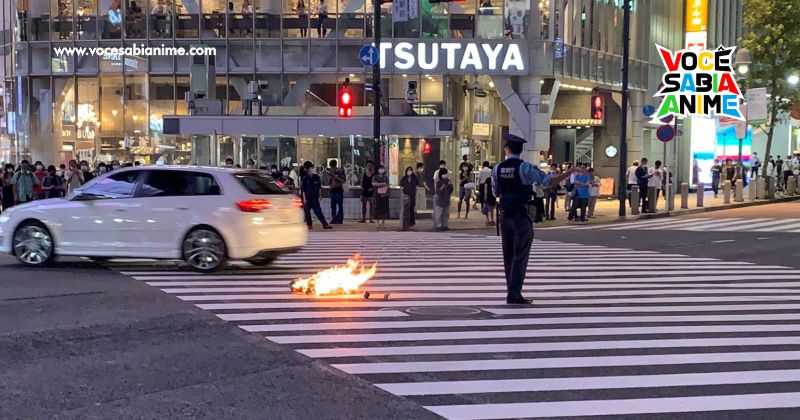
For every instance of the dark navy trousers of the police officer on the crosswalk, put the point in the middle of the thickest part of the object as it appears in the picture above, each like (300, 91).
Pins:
(517, 238)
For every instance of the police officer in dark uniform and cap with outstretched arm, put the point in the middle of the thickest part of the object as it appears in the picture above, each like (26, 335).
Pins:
(511, 184)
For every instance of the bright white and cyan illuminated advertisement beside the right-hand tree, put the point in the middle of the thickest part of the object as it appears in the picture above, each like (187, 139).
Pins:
(711, 141)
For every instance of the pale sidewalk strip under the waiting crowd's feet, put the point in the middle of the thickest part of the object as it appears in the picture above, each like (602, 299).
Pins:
(606, 211)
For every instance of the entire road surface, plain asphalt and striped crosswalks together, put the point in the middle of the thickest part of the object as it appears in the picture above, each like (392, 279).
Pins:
(654, 320)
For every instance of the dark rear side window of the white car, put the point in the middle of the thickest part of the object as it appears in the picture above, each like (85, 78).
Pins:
(178, 183)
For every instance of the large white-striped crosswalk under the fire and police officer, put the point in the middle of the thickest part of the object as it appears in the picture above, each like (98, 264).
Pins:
(613, 331)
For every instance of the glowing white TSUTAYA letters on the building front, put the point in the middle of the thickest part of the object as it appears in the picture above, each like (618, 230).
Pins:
(454, 57)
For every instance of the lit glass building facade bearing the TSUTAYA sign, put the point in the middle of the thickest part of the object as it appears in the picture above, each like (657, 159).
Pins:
(455, 77)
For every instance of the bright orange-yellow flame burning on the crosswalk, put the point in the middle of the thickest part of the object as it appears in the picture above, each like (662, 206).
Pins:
(336, 280)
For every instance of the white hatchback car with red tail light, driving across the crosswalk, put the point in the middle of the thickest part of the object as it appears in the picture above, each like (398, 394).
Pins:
(201, 215)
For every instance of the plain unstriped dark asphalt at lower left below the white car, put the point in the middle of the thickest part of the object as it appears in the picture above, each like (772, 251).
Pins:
(80, 341)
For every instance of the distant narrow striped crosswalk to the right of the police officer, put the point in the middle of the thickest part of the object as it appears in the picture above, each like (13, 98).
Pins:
(700, 224)
